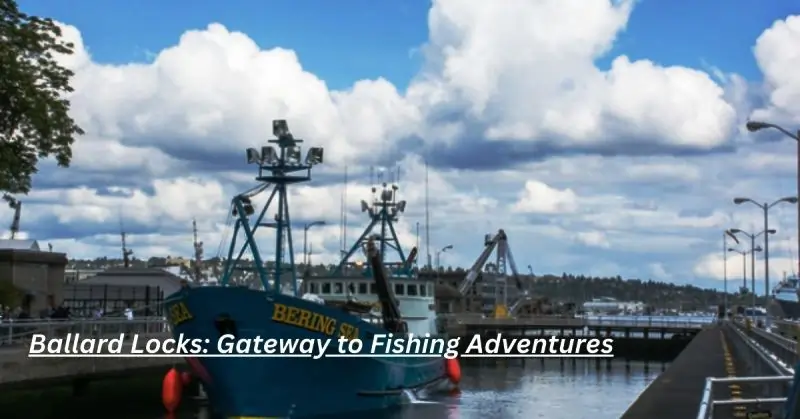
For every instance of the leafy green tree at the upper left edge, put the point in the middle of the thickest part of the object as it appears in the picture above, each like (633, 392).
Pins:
(34, 113)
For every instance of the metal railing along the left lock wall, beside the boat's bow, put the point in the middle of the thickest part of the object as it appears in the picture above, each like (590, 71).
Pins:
(19, 332)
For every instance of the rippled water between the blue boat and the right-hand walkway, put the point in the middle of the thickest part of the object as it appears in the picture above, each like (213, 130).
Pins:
(507, 389)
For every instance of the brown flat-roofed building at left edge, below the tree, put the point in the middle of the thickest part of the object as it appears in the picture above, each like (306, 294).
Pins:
(37, 274)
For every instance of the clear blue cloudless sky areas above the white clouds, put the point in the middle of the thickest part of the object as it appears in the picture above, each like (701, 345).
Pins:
(346, 41)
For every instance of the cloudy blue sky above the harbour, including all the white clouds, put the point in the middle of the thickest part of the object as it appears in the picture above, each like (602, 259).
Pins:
(604, 136)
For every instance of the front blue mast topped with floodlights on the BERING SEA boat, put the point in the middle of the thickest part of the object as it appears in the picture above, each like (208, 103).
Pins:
(276, 169)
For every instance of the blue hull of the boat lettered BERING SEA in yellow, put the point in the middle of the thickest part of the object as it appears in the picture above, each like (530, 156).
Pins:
(265, 387)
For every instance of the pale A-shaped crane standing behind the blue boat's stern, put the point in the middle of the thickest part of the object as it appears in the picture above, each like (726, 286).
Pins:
(503, 257)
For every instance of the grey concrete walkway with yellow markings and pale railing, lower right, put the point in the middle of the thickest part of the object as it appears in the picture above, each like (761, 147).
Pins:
(730, 370)
